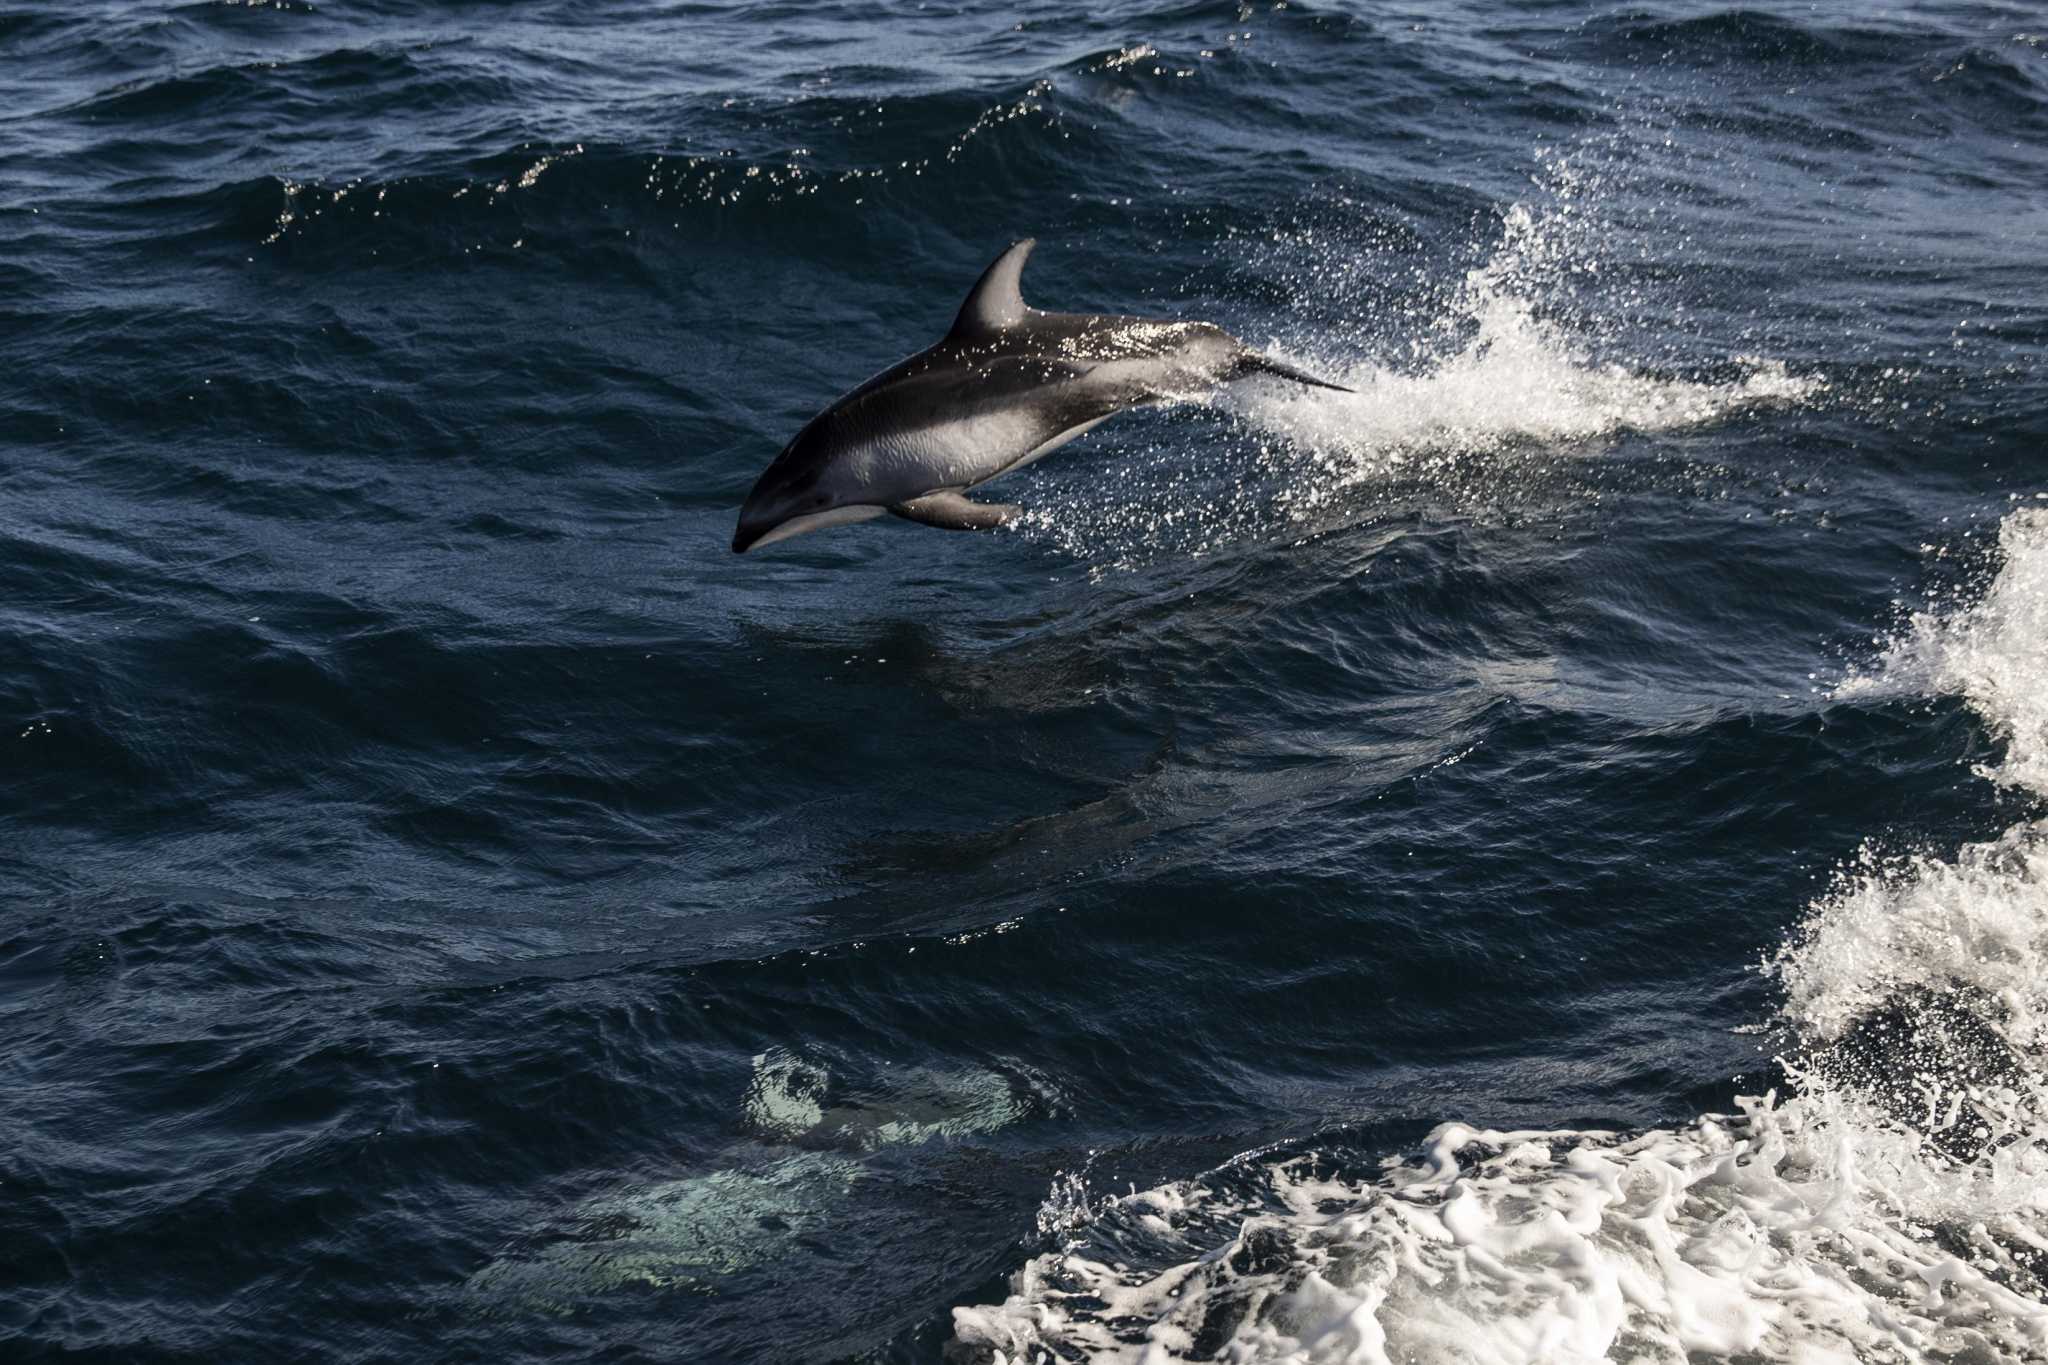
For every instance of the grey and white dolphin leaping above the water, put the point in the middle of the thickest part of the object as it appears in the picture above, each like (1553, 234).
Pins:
(1007, 386)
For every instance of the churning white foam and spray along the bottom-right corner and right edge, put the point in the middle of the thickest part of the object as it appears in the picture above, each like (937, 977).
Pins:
(1891, 1208)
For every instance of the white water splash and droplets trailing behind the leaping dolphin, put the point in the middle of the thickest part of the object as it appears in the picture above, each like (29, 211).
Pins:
(1484, 394)
